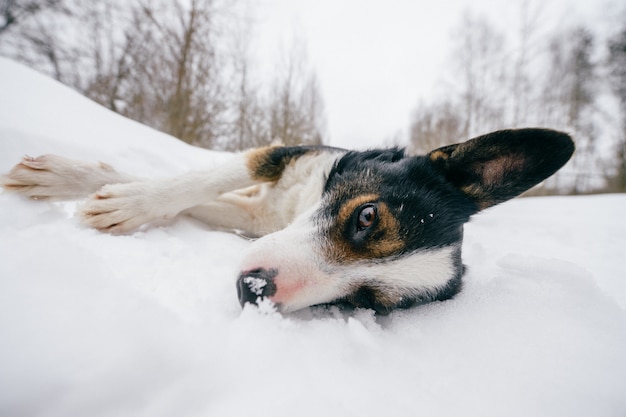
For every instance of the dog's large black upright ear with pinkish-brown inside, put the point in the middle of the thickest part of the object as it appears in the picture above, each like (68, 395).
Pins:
(501, 165)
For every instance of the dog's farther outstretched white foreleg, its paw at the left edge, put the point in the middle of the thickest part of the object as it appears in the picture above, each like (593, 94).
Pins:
(52, 177)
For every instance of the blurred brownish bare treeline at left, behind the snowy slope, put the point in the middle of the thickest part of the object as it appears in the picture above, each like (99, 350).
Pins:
(181, 67)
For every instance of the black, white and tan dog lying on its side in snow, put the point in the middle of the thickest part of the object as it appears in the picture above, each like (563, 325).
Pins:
(375, 229)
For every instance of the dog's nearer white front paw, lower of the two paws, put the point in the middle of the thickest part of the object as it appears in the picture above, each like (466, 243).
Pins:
(122, 208)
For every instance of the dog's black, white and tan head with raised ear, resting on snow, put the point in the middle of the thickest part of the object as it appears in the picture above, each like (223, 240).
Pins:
(388, 229)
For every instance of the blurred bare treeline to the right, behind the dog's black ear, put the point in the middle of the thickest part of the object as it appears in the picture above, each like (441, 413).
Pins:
(565, 80)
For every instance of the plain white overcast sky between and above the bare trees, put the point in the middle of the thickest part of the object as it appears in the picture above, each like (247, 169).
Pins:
(375, 59)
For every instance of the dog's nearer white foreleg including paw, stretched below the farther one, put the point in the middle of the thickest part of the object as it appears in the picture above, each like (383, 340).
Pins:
(120, 208)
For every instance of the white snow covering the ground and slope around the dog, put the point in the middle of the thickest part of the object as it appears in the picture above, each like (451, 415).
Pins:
(148, 324)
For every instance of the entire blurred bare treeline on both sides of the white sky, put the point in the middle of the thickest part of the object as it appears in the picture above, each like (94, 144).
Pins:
(185, 68)
